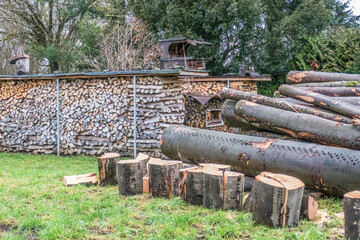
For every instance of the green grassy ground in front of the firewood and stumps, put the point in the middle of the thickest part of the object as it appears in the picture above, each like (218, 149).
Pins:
(35, 204)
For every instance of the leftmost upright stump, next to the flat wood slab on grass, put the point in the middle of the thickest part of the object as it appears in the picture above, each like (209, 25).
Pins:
(107, 169)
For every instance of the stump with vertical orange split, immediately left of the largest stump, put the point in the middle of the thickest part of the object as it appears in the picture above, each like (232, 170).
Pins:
(223, 189)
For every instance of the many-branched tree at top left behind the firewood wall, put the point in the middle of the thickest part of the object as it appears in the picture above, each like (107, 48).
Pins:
(50, 26)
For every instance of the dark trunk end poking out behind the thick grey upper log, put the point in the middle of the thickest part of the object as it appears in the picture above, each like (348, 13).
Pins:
(229, 117)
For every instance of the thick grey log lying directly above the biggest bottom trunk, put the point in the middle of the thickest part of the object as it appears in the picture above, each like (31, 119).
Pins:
(301, 126)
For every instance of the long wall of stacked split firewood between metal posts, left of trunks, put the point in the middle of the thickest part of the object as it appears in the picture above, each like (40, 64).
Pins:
(96, 115)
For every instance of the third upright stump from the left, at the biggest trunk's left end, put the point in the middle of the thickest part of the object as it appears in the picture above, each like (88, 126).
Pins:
(164, 178)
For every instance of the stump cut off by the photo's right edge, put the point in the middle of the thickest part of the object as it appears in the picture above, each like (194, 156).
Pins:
(351, 205)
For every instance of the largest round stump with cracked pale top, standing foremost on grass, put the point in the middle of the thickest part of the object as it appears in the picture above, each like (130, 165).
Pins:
(277, 200)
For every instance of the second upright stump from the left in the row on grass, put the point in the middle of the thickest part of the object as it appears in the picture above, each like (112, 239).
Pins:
(130, 176)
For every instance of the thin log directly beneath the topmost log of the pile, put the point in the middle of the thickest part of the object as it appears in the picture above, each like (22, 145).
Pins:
(334, 91)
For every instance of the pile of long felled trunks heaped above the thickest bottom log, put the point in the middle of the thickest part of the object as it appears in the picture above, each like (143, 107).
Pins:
(310, 112)
